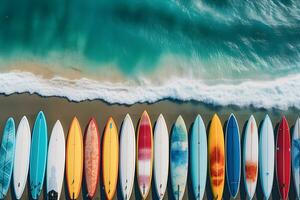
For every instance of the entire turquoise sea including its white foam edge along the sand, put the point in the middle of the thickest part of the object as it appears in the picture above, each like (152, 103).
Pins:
(219, 52)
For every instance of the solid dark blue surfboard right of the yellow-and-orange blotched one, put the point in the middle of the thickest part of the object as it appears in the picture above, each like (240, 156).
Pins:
(233, 156)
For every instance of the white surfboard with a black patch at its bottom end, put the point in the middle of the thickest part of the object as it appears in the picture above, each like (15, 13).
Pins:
(56, 162)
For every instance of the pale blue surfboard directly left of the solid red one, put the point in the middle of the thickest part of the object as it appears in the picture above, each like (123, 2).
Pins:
(266, 156)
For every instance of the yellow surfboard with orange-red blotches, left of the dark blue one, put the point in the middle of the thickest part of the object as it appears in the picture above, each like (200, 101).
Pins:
(216, 153)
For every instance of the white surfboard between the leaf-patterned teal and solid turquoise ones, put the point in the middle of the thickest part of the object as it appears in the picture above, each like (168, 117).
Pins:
(21, 160)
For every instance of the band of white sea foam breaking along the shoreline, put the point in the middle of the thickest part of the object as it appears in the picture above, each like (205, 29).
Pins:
(280, 93)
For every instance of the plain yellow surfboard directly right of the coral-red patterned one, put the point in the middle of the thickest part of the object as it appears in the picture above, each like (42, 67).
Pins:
(110, 157)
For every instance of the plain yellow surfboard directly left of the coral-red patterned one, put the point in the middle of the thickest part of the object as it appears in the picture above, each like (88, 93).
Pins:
(74, 159)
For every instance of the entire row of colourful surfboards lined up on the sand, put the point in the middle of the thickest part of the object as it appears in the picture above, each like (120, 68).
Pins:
(22, 152)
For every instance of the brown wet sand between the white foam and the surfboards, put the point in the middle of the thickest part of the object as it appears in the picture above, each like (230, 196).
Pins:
(56, 108)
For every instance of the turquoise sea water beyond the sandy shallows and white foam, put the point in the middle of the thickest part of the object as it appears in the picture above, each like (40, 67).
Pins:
(214, 40)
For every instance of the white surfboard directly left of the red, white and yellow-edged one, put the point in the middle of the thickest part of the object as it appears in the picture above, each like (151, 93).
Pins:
(127, 157)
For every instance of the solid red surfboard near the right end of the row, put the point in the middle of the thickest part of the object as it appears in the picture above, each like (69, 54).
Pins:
(283, 158)
